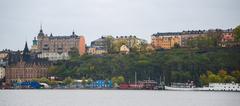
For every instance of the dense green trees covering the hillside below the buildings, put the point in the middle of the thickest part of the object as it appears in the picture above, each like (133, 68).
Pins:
(178, 64)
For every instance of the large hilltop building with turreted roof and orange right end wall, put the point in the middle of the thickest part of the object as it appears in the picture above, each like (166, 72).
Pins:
(53, 47)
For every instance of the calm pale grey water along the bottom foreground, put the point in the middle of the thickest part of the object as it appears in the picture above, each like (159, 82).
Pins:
(116, 98)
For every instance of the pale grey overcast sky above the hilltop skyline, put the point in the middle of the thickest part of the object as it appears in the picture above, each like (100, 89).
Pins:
(20, 20)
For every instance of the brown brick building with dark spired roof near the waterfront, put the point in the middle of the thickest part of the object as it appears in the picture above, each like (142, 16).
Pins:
(26, 68)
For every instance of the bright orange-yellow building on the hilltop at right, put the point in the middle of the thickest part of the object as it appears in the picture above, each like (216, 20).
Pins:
(166, 40)
